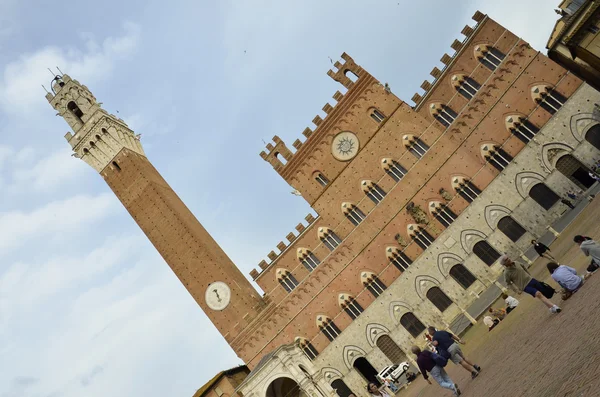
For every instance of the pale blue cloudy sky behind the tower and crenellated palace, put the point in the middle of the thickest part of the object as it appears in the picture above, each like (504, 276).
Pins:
(87, 306)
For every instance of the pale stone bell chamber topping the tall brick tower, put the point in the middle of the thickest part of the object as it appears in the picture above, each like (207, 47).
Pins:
(97, 136)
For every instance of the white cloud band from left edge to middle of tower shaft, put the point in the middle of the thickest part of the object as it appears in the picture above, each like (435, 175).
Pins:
(63, 217)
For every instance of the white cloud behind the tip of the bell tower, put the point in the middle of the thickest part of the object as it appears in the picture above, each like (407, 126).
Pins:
(20, 87)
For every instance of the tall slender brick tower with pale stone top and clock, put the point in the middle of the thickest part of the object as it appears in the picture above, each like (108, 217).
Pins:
(108, 145)
